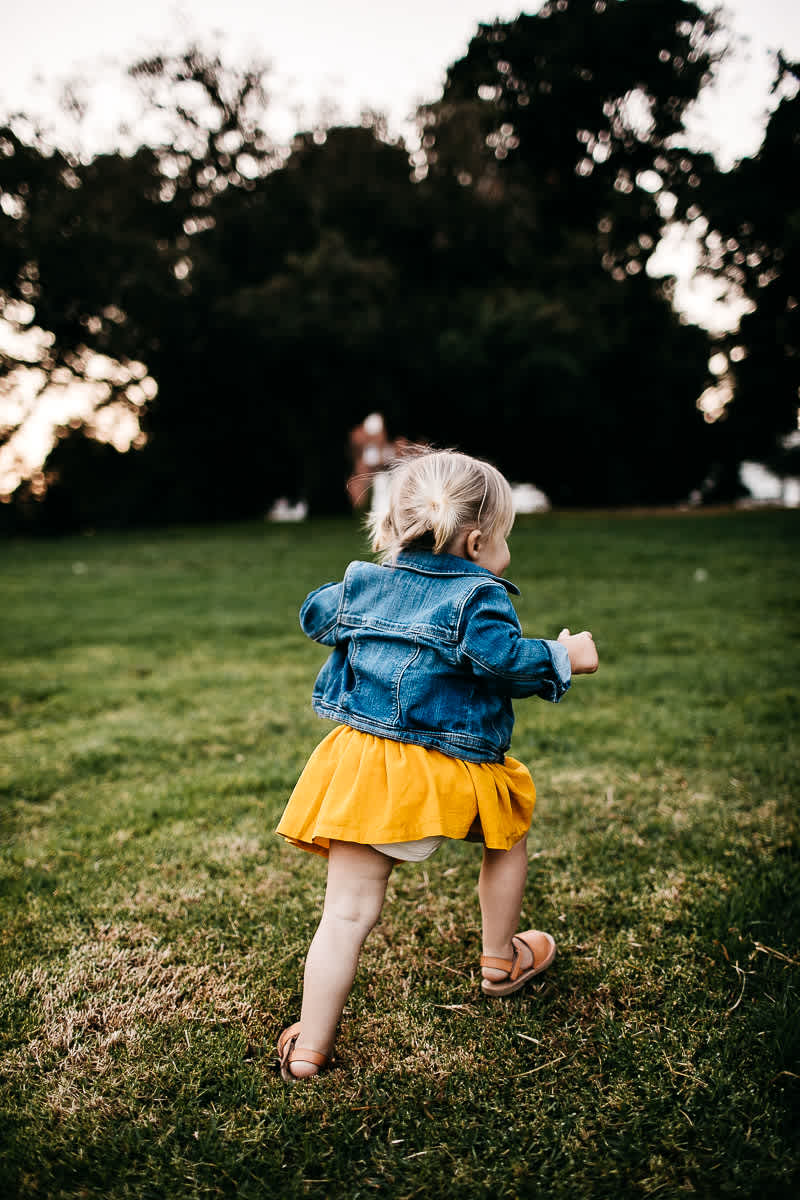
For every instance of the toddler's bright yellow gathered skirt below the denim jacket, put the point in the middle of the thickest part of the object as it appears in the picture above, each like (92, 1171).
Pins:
(364, 789)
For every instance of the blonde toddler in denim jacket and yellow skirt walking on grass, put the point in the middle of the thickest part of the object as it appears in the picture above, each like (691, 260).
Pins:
(428, 655)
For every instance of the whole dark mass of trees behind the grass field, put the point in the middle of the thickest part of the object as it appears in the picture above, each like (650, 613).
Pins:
(491, 293)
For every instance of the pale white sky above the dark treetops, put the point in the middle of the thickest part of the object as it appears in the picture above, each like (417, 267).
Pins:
(352, 55)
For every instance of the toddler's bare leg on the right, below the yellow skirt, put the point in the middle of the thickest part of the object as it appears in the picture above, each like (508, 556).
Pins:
(501, 889)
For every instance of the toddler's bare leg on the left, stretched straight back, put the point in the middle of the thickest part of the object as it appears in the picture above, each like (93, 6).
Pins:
(354, 897)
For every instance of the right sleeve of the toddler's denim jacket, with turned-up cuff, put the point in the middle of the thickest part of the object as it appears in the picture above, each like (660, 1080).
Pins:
(496, 650)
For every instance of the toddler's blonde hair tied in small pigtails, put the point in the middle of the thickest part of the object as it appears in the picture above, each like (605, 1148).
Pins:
(436, 494)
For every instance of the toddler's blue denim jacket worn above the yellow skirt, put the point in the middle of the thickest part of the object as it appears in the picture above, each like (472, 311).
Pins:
(429, 651)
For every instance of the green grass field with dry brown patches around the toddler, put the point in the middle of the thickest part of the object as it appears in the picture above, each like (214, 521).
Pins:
(154, 716)
